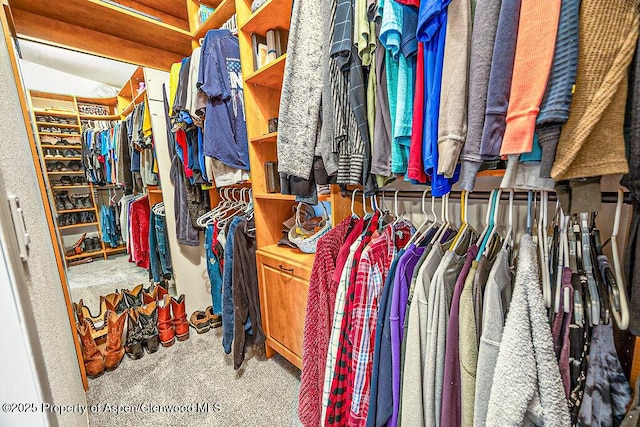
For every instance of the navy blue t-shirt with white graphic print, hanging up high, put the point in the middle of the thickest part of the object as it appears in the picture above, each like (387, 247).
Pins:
(220, 78)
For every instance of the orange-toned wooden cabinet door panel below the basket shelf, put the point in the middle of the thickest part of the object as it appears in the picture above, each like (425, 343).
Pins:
(284, 291)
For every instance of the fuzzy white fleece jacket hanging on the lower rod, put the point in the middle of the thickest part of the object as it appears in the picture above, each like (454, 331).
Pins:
(527, 387)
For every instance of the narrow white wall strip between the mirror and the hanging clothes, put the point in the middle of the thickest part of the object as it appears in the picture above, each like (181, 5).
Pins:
(189, 263)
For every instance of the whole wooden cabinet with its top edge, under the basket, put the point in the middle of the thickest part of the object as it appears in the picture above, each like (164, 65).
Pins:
(284, 284)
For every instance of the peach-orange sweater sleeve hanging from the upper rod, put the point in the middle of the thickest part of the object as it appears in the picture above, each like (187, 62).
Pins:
(534, 55)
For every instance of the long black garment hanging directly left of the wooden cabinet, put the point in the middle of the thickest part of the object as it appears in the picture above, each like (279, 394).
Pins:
(246, 296)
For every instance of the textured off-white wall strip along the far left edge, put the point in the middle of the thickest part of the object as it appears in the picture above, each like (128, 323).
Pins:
(47, 305)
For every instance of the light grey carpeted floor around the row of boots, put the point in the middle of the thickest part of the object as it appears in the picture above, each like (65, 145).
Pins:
(193, 372)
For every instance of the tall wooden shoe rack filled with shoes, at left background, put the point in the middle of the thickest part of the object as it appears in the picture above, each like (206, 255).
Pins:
(57, 122)
